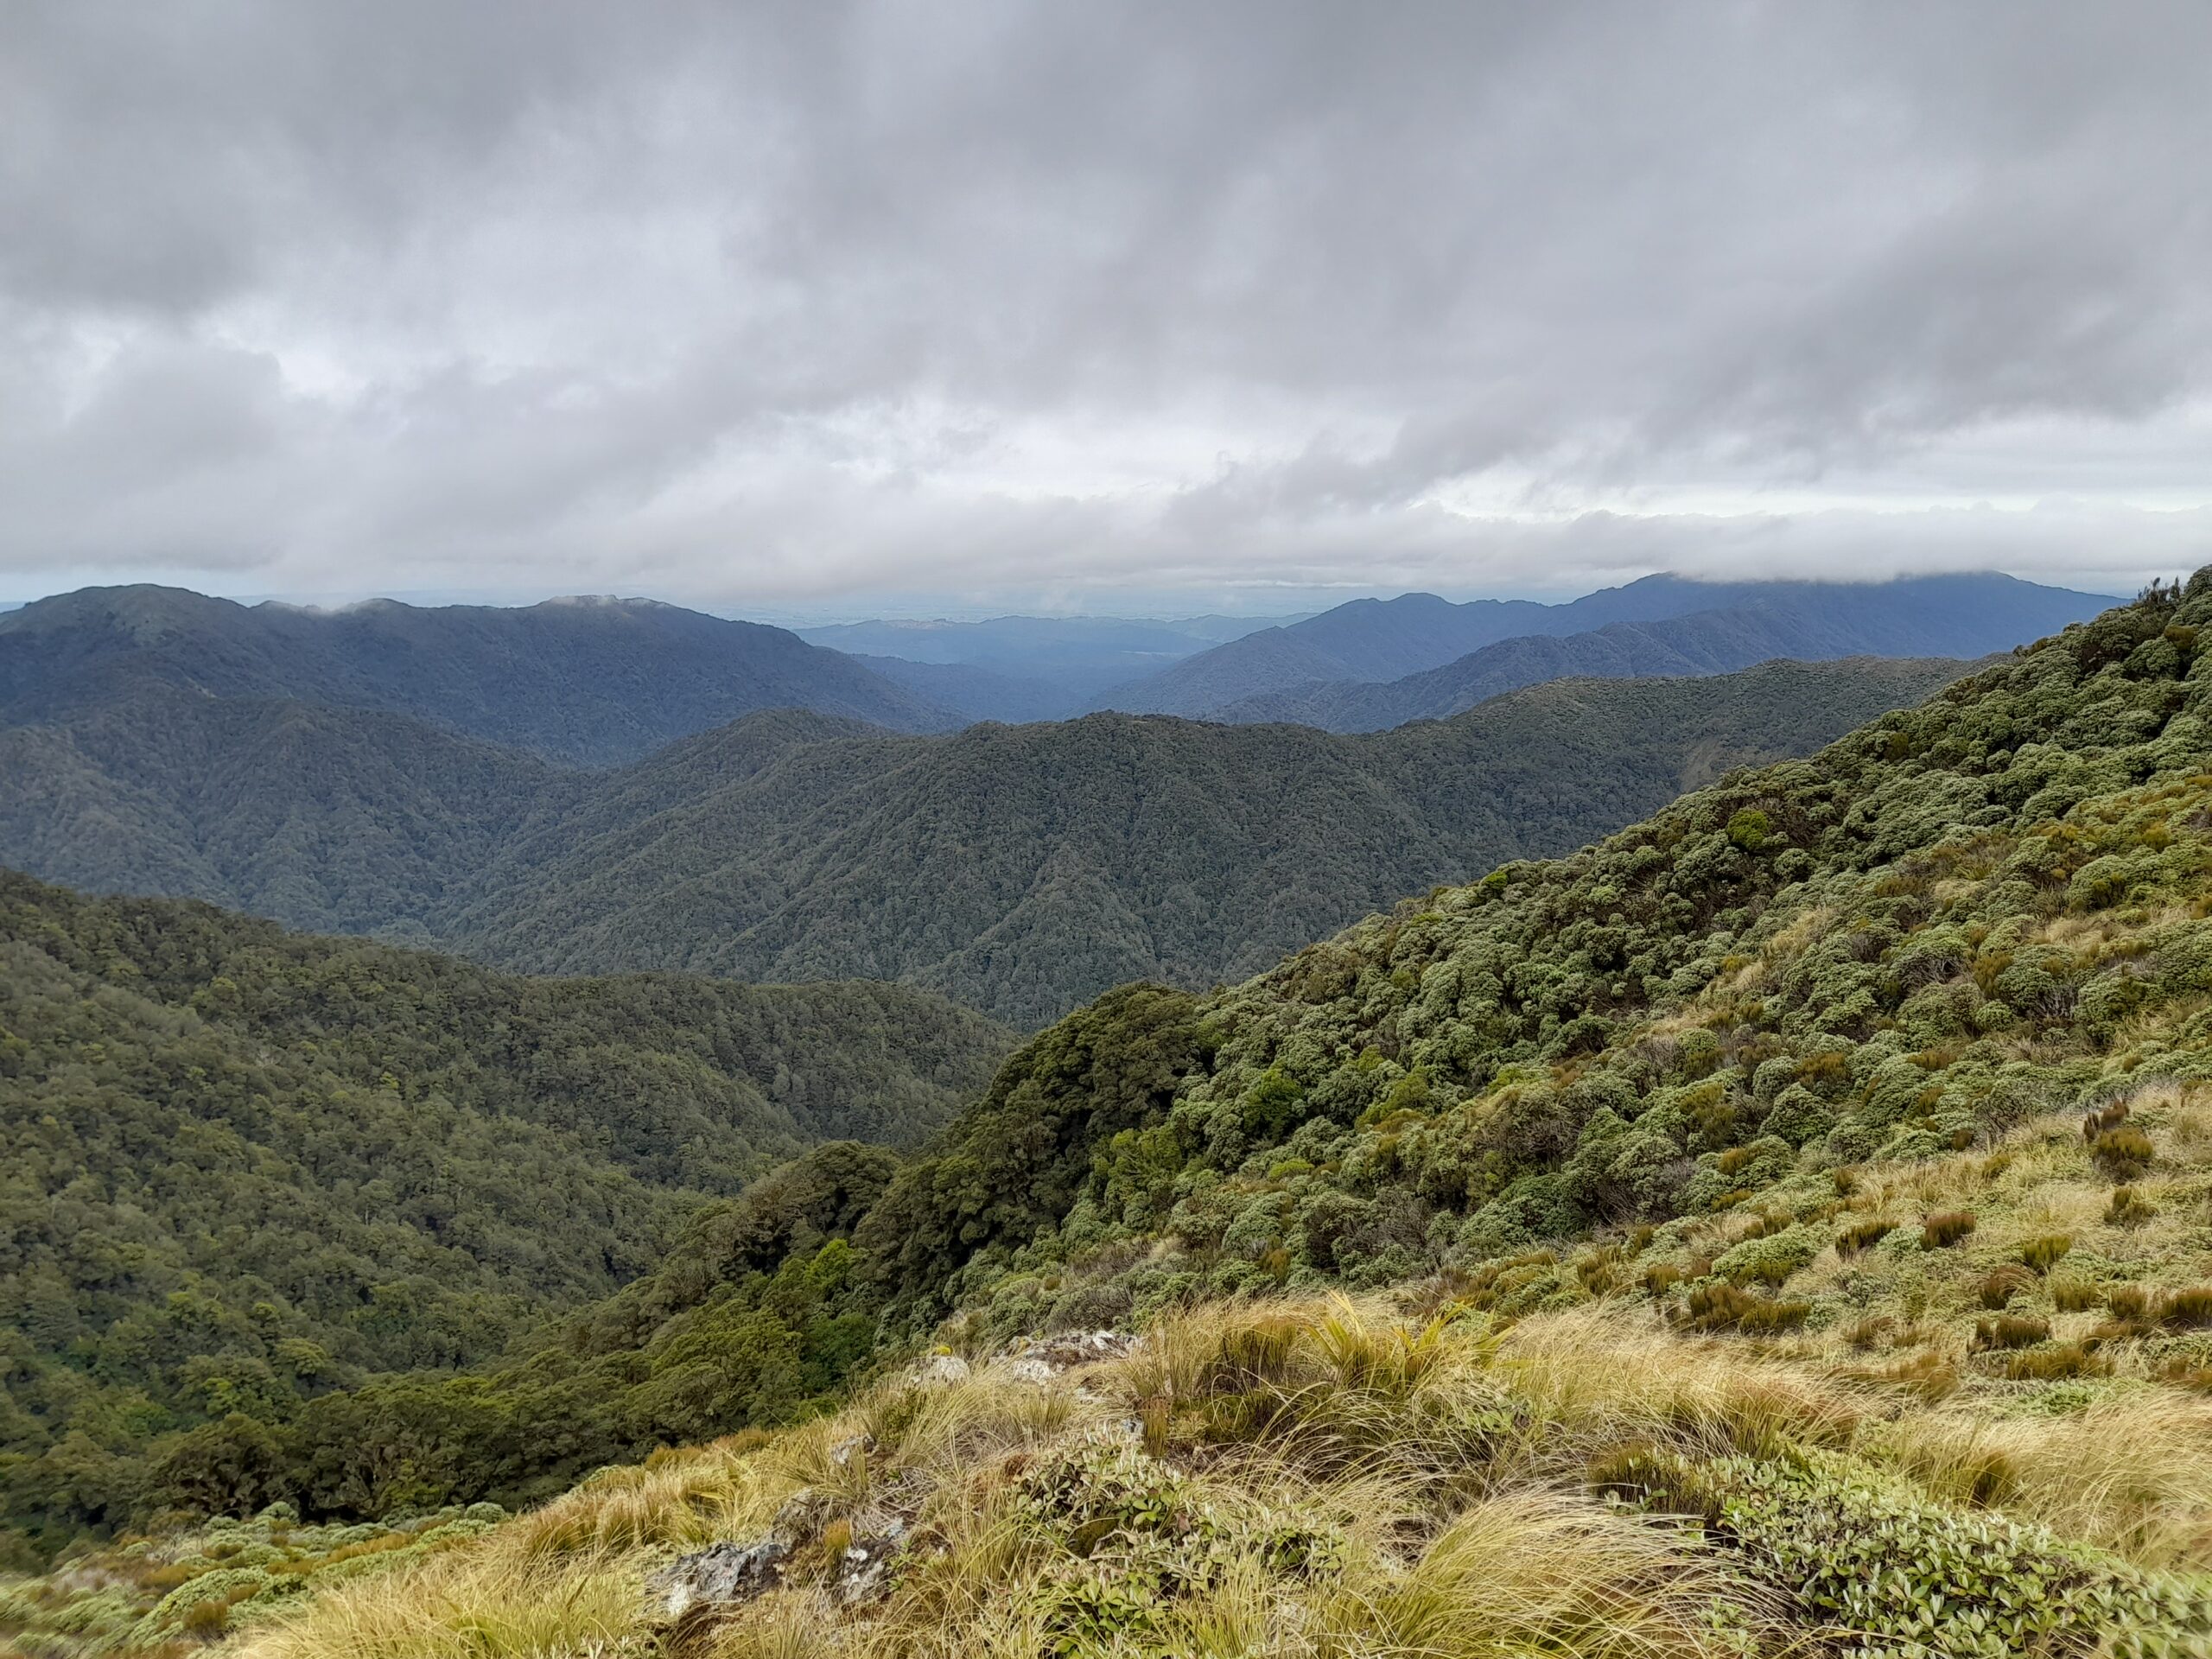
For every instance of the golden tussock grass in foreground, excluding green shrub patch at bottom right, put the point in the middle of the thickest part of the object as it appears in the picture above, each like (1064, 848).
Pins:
(1446, 1452)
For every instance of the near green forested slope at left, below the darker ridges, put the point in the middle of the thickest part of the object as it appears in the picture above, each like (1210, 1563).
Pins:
(242, 1167)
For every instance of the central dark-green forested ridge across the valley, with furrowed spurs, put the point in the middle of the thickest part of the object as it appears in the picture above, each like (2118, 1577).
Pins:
(1023, 870)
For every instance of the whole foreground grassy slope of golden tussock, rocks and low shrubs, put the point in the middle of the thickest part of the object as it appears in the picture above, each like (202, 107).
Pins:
(1463, 1465)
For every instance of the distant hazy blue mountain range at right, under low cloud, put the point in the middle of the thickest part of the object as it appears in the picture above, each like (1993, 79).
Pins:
(1665, 625)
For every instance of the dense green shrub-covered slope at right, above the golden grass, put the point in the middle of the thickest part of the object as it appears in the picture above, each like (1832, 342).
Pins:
(1950, 921)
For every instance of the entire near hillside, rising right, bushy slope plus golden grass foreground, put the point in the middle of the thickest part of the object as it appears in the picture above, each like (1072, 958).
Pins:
(1793, 1213)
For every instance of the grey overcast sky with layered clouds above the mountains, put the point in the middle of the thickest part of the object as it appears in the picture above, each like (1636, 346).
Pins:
(963, 306)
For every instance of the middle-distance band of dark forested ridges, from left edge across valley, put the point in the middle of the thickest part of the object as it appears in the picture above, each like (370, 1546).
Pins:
(1014, 868)
